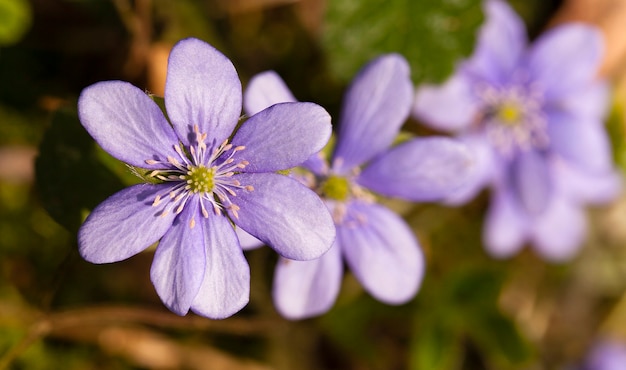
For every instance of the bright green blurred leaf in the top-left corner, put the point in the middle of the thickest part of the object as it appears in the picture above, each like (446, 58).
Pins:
(15, 20)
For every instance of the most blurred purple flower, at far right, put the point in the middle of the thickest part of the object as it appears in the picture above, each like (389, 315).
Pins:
(533, 116)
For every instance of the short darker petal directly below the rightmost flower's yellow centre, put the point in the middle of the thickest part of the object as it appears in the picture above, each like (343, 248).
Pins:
(531, 180)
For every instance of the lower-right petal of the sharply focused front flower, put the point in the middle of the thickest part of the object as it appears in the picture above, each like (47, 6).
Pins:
(285, 215)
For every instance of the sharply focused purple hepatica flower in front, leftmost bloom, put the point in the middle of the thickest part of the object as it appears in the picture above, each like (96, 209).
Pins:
(205, 181)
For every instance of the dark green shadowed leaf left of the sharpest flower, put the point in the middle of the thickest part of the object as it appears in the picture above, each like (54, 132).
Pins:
(70, 177)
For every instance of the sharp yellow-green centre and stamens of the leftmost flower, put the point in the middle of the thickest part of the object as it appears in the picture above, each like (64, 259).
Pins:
(210, 177)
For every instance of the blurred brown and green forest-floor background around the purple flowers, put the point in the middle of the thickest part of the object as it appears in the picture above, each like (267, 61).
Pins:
(59, 312)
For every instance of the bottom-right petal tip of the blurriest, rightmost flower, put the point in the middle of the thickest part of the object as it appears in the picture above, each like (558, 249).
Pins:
(558, 232)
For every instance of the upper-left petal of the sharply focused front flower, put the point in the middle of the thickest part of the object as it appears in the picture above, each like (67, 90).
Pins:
(126, 123)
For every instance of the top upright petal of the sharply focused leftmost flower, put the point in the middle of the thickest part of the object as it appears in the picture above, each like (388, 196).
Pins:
(202, 88)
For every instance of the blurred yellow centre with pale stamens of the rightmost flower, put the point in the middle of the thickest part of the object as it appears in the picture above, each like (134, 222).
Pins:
(513, 117)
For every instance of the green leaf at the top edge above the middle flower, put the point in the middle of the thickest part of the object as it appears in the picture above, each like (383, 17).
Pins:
(432, 34)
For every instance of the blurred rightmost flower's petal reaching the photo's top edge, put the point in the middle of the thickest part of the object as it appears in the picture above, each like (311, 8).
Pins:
(501, 42)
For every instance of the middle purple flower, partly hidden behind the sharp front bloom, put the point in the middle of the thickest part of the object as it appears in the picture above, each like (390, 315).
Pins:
(378, 246)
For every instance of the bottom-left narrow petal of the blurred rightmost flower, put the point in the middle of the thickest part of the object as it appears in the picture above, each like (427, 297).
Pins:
(506, 226)
